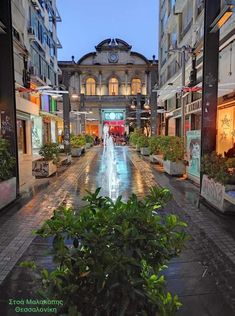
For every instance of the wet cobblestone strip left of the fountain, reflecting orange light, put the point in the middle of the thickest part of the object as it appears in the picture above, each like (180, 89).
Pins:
(16, 232)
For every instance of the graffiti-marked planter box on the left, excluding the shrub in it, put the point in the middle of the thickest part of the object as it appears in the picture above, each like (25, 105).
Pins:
(43, 169)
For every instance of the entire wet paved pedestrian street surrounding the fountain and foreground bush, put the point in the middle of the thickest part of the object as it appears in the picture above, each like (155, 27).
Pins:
(203, 275)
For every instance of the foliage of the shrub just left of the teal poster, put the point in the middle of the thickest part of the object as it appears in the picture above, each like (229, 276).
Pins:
(172, 148)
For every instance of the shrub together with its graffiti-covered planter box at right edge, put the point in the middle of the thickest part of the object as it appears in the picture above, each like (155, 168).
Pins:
(218, 181)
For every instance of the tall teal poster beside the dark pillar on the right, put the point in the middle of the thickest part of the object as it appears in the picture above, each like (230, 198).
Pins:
(194, 152)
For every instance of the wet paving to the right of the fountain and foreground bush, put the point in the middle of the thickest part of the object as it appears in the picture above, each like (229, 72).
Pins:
(204, 274)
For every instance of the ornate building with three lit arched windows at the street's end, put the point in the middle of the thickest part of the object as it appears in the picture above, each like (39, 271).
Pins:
(106, 85)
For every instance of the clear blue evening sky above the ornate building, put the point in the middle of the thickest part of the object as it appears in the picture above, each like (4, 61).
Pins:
(85, 23)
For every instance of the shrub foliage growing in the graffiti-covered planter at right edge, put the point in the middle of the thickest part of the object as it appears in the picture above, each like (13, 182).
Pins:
(216, 166)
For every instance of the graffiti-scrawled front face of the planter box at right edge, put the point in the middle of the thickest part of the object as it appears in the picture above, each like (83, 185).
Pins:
(213, 192)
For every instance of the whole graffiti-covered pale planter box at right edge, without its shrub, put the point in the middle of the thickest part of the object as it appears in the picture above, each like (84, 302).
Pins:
(217, 195)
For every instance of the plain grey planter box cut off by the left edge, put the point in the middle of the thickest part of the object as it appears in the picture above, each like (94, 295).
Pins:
(7, 192)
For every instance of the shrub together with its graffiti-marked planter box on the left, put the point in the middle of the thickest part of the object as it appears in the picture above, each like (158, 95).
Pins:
(47, 165)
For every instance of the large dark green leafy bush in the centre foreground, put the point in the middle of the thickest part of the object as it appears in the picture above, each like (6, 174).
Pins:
(110, 256)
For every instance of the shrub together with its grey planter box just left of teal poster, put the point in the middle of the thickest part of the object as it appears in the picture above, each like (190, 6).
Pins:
(172, 148)
